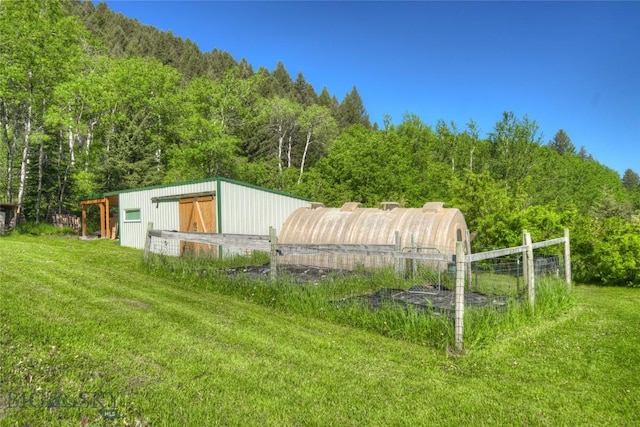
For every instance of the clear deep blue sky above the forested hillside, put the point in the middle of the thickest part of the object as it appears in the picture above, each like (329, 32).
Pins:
(569, 65)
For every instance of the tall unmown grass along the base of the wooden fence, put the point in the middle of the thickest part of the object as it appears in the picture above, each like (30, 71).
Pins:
(332, 299)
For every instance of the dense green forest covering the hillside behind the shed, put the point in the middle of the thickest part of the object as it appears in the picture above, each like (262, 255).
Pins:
(91, 101)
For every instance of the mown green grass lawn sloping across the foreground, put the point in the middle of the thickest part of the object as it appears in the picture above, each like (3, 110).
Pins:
(86, 317)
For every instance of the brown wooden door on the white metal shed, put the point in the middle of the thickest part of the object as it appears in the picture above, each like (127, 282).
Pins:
(198, 214)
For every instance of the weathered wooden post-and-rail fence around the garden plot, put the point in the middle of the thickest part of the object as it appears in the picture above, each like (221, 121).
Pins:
(268, 243)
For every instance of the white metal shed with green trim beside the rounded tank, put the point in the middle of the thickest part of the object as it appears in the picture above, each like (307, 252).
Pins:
(213, 205)
